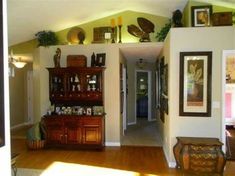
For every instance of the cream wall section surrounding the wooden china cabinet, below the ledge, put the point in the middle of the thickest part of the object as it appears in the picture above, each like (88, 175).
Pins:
(44, 58)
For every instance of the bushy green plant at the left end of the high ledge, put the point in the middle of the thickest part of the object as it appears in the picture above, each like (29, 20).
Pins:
(46, 38)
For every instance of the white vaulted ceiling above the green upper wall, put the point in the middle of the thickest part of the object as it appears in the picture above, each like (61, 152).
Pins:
(26, 17)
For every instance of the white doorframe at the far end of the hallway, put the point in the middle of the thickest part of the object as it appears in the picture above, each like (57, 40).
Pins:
(149, 93)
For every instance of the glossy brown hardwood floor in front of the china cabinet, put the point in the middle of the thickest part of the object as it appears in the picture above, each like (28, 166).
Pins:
(143, 160)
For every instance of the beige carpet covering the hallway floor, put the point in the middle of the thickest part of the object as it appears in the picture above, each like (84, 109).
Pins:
(144, 133)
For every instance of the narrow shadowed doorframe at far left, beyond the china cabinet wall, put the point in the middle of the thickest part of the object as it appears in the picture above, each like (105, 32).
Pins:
(30, 97)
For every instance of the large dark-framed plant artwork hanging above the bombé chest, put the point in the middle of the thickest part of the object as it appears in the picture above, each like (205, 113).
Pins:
(195, 84)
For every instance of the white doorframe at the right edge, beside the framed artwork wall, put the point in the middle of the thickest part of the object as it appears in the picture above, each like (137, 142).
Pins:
(223, 88)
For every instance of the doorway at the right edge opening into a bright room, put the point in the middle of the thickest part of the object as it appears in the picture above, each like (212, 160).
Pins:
(228, 102)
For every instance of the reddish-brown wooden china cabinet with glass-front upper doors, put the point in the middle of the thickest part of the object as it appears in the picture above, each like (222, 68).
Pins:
(77, 120)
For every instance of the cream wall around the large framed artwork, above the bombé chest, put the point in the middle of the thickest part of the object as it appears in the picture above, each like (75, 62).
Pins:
(214, 39)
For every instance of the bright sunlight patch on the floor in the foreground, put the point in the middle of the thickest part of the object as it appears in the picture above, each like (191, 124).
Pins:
(69, 169)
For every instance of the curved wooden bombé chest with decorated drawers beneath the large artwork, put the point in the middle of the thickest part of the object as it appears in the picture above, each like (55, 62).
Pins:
(199, 155)
